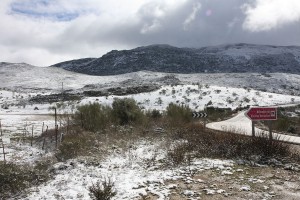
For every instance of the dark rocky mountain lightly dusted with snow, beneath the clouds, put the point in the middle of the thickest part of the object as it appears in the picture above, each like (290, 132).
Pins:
(238, 58)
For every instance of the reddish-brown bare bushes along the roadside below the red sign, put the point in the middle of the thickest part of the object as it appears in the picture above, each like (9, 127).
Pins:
(214, 144)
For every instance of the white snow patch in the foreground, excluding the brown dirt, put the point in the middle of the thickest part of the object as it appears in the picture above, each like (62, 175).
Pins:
(132, 177)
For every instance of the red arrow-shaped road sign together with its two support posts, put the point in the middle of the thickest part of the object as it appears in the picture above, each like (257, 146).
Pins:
(262, 113)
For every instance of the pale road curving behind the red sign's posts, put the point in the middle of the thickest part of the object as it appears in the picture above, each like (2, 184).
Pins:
(242, 125)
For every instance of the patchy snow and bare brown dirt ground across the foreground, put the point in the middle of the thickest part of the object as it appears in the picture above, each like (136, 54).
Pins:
(134, 177)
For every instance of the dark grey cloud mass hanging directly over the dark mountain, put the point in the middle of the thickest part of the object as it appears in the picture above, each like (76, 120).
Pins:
(224, 25)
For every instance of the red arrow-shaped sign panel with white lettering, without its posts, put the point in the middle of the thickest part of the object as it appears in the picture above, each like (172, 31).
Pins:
(262, 113)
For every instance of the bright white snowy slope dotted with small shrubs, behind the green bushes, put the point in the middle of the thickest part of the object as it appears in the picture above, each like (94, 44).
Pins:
(197, 97)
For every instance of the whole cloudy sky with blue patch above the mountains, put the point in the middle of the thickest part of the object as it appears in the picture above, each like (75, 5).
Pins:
(44, 32)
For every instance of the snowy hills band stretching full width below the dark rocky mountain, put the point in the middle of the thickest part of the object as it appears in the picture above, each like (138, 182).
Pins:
(24, 77)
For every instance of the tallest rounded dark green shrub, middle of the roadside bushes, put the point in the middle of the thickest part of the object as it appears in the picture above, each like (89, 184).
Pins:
(126, 111)
